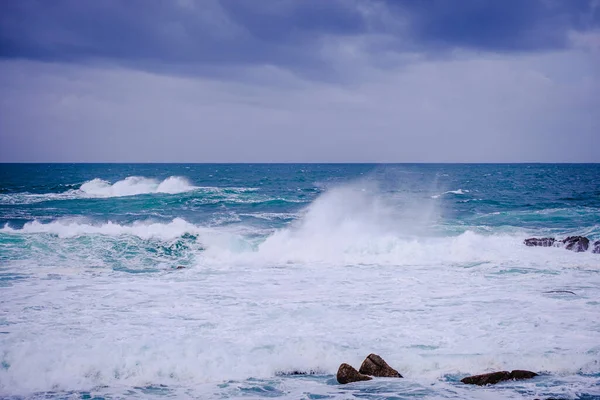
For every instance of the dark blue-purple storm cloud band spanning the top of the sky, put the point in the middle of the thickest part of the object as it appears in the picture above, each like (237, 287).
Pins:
(166, 35)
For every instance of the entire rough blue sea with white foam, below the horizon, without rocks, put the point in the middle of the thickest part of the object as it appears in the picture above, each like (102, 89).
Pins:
(215, 281)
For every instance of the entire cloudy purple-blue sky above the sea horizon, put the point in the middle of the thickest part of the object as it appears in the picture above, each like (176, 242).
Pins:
(300, 81)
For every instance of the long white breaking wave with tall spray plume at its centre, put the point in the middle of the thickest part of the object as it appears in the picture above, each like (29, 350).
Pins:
(345, 226)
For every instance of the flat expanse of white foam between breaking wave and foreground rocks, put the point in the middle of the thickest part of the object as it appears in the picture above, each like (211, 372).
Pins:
(201, 327)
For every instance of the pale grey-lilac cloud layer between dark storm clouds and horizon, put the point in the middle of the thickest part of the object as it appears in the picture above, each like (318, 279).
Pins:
(471, 108)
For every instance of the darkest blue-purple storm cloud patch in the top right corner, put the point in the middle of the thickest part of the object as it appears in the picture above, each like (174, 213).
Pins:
(507, 25)
